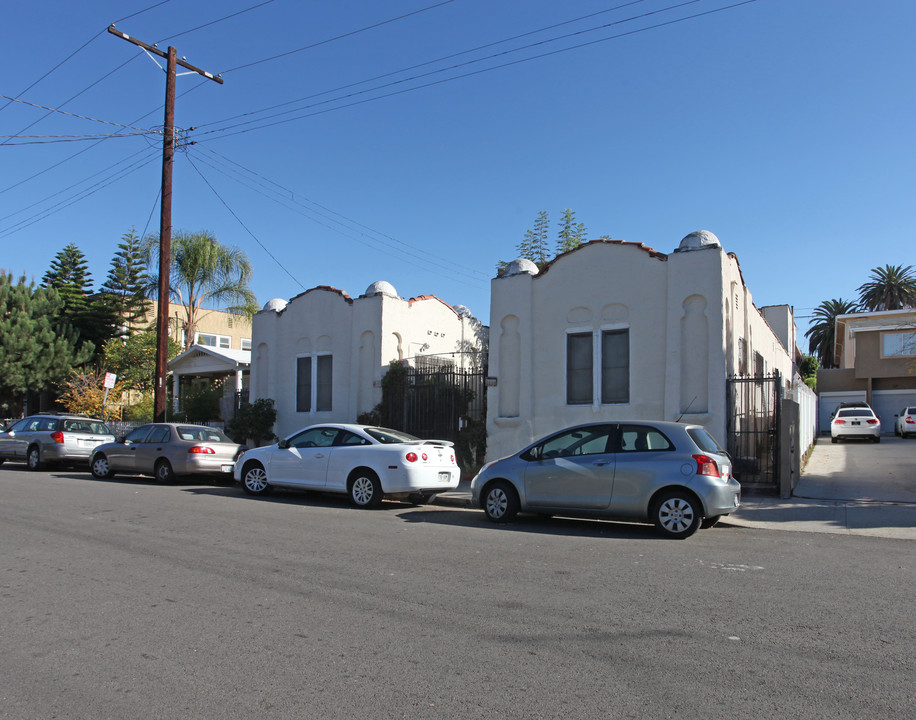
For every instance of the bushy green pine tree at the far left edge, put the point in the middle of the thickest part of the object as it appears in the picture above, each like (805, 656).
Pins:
(39, 349)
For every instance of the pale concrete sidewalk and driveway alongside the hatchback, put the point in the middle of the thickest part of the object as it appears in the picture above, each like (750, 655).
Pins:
(850, 489)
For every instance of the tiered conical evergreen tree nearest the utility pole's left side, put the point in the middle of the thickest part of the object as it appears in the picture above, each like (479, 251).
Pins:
(128, 281)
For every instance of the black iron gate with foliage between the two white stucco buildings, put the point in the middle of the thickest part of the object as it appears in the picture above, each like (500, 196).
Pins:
(441, 402)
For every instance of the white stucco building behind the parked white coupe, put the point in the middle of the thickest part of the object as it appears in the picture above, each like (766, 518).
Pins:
(322, 355)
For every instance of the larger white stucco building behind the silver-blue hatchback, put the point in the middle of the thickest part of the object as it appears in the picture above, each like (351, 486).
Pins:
(616, 330)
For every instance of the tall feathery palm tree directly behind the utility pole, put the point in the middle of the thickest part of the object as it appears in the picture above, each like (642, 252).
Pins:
(205, 272)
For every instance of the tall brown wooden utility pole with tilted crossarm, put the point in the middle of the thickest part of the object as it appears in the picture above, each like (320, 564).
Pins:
(160, 392)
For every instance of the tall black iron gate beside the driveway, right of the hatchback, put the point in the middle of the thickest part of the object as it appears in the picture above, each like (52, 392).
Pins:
(753, 430)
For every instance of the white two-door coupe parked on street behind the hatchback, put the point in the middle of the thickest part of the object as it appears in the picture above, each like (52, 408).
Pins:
(367, 463)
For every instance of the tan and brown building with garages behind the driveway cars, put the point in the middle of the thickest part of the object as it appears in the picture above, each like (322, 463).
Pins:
(876, 363)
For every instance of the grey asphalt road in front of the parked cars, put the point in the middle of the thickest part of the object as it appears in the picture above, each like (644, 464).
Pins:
(125, 599)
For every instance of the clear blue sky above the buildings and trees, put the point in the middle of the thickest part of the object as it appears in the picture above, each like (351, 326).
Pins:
(783, 126)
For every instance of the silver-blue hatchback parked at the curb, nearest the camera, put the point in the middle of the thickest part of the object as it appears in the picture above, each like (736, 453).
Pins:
(671, 474)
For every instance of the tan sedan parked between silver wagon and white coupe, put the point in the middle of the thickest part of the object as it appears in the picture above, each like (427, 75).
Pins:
(167, 450)
